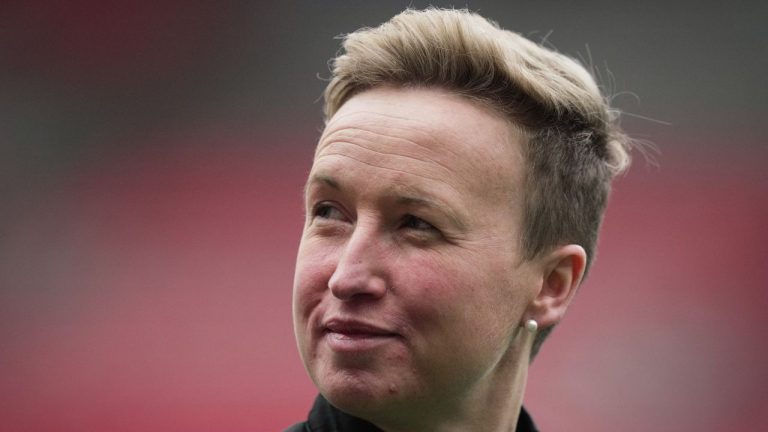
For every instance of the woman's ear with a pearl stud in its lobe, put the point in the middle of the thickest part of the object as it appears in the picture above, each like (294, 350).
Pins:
(563, 269)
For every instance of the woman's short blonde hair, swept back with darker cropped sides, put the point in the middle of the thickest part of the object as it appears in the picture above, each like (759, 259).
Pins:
(574, 146)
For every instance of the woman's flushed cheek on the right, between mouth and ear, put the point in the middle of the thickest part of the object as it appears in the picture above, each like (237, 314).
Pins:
(460, 324)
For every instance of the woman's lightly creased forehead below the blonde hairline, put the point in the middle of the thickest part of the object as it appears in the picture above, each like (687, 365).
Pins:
(435, 132)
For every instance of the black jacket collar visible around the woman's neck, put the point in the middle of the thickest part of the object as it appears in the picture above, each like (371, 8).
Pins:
(325, 418)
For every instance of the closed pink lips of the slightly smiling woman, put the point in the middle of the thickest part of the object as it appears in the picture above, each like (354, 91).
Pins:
(349, 335)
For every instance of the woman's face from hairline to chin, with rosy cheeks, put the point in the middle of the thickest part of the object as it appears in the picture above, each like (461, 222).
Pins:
(409, 287)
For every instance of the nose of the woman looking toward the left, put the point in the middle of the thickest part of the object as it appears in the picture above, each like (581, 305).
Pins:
(360, 269)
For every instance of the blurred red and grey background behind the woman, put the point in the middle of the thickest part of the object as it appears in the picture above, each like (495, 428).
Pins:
(152, 165)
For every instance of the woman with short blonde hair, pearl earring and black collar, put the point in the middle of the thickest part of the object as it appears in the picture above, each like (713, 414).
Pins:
(451, 211)
